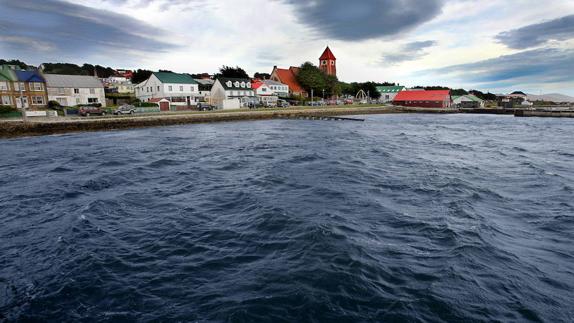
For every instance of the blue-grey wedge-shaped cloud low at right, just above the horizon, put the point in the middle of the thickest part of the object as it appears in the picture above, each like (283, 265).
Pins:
(533, 66)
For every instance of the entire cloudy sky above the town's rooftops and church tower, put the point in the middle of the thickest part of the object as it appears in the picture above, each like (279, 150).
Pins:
(491, 45)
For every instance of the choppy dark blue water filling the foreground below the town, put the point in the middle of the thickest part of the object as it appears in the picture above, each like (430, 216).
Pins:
(416, 218)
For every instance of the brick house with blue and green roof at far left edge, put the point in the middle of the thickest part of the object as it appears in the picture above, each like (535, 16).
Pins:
(22, 88)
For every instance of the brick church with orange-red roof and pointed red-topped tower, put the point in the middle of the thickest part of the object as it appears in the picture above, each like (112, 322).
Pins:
(327, 64)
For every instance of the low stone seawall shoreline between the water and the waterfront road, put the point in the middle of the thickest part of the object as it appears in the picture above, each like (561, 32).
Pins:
(47, 126)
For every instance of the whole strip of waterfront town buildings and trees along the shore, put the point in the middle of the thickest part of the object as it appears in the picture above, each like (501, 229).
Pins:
(44, 91)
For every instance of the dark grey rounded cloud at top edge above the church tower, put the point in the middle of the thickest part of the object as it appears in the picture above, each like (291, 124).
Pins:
(366, 19)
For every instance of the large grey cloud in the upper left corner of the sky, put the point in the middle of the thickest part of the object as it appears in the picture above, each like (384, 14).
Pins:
(70, 29)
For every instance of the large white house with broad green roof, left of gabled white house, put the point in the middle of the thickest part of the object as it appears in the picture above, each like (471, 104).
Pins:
(181, 90)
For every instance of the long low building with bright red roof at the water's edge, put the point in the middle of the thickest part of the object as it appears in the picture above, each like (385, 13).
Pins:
(424, 99)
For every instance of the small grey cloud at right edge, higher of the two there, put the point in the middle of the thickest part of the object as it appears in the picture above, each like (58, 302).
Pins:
(538, 34)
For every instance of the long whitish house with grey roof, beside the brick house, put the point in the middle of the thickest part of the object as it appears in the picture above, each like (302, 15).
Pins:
(71, 90)
